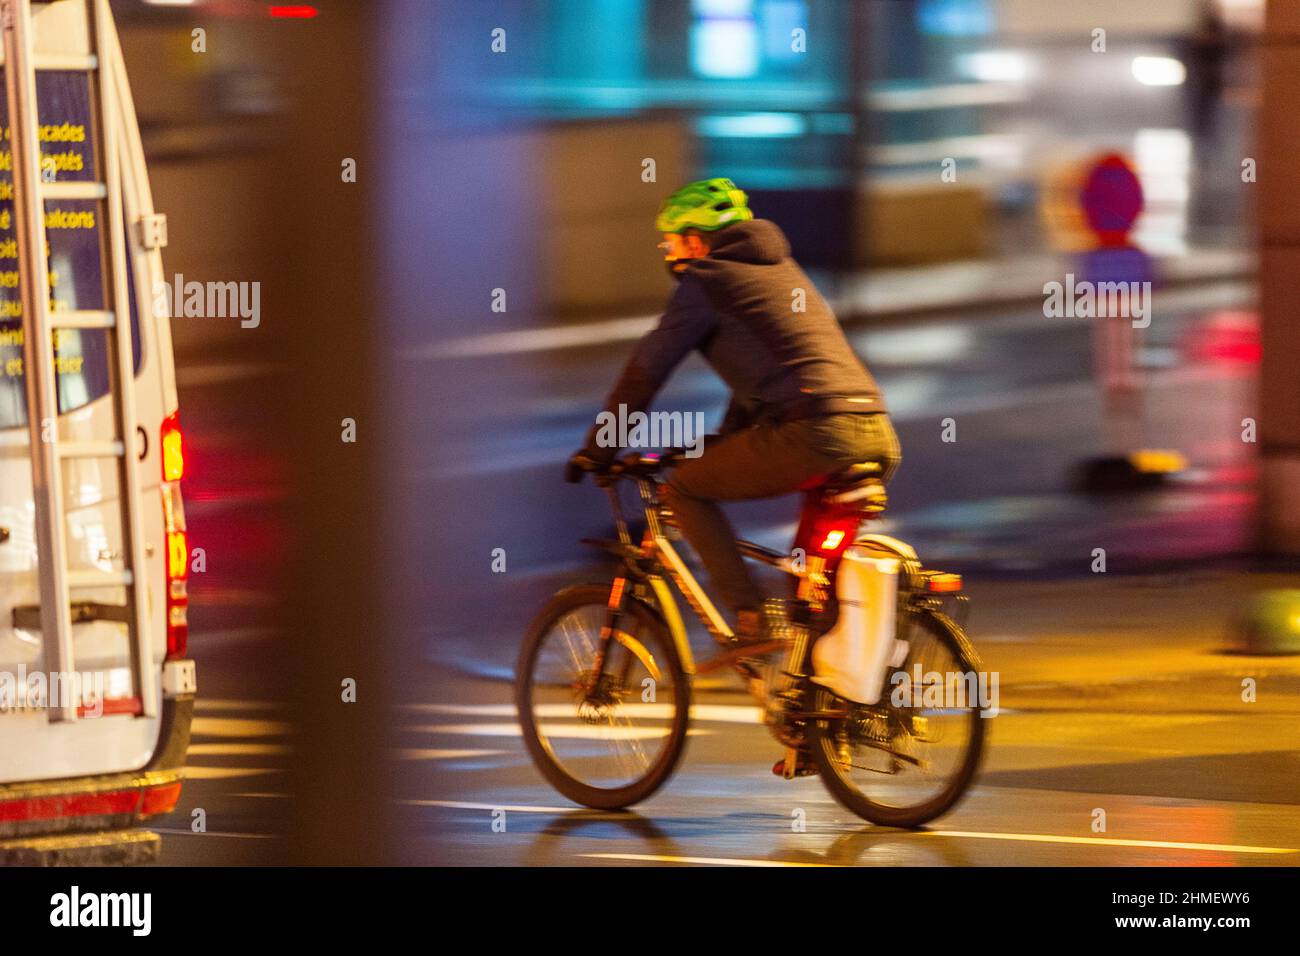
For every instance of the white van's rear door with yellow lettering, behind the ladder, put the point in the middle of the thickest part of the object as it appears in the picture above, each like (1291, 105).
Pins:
(111, 733)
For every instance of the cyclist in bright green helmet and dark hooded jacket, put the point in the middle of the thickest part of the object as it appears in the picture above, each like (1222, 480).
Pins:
(803, 405)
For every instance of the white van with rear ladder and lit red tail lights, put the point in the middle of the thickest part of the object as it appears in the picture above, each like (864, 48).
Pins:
(96, 706)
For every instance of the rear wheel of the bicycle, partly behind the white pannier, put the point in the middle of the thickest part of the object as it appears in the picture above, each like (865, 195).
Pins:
(912, 758)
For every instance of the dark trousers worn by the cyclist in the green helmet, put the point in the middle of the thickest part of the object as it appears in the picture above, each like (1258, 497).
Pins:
(762, 462)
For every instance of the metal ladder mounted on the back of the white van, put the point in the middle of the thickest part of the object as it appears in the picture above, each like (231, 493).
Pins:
(33, 188)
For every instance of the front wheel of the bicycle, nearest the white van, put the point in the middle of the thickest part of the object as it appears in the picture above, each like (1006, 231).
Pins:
(613, 741)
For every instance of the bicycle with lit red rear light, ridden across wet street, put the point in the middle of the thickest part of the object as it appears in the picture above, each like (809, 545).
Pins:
(604, 685)
